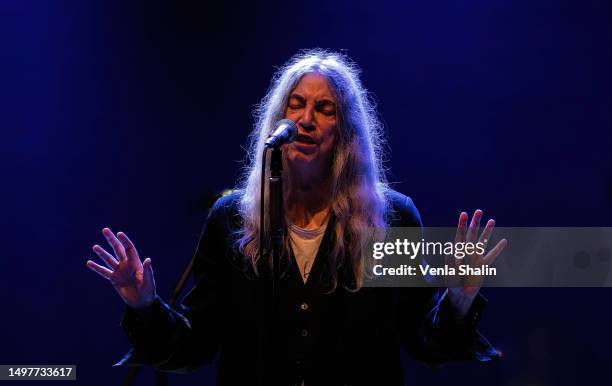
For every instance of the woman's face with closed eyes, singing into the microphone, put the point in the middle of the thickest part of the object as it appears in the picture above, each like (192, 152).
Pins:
(312, 106)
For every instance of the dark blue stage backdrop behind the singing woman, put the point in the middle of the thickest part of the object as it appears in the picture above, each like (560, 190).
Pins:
(133, 115)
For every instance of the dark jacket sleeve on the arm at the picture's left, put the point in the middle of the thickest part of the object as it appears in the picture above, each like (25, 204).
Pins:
(186, 338)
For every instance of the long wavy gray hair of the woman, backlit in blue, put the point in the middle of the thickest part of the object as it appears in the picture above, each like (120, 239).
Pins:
(358, 182)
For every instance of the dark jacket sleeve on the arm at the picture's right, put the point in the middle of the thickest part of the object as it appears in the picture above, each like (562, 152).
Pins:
(429, 329)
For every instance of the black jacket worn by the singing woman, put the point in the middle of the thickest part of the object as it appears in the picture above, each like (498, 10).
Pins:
(337, 338)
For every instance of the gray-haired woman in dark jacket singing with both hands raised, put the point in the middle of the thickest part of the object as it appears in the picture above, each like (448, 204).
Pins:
(333, 330)
